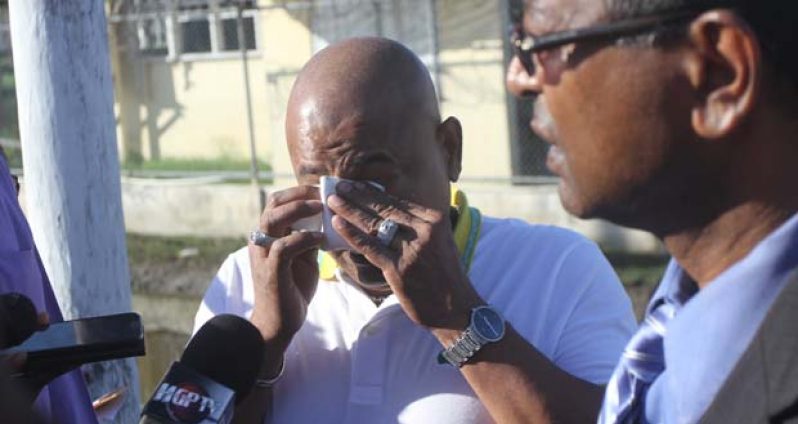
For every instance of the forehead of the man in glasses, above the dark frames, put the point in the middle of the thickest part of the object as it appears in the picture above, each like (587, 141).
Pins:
(543, 16)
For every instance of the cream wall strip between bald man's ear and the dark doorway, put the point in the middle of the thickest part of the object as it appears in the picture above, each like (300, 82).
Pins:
(472, 83)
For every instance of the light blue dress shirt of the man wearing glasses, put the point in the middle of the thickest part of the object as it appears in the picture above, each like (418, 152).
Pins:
(714, 327)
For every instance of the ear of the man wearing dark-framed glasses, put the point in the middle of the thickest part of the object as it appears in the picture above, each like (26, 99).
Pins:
(725, 71)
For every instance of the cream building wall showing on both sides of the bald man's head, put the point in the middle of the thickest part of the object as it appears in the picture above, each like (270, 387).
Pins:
(196, 108)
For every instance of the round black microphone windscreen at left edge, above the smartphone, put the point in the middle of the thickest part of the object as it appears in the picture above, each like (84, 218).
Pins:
(18, 319)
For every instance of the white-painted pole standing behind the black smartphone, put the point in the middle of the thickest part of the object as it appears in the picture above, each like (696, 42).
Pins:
(71, 167)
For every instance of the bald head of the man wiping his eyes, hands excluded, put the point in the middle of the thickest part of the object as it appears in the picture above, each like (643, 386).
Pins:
(365, 109)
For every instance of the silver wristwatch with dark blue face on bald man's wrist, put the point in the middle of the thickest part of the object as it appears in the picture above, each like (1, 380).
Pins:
(486, 326)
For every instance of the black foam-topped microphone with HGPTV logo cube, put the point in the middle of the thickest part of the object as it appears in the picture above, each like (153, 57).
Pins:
(217, 370)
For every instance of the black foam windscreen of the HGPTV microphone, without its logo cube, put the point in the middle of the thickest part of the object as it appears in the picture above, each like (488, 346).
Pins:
(229, 350)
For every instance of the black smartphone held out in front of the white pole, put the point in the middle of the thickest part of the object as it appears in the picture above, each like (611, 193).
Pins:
(82, 341)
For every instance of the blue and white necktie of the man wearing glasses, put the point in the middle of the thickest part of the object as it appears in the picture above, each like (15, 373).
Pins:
(642, 362)
